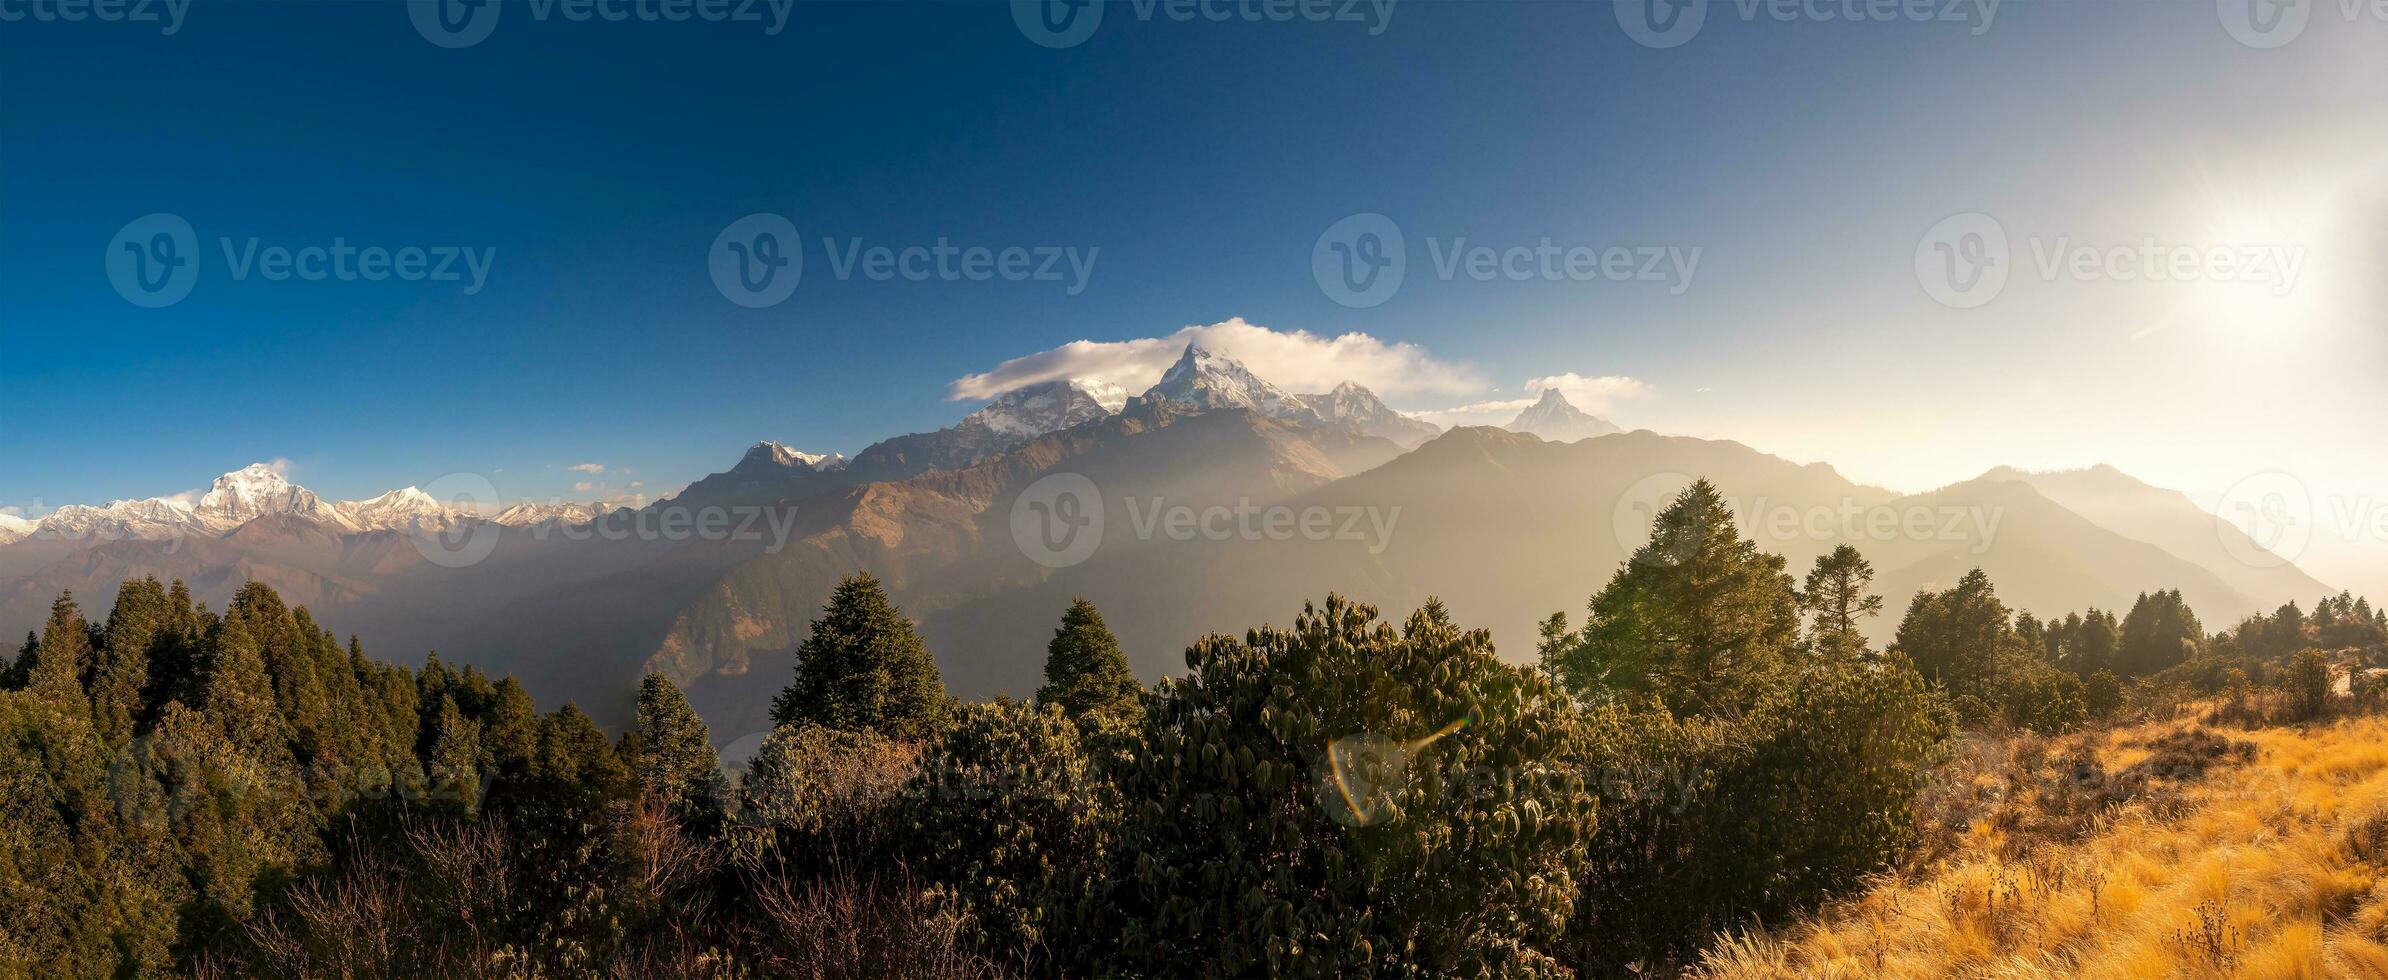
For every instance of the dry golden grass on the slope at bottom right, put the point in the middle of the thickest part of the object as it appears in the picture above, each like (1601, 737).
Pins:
(2263, 869)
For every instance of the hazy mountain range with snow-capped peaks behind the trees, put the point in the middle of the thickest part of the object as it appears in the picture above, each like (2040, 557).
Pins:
(1224, 503)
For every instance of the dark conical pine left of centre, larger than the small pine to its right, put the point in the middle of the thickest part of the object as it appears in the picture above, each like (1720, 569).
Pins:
(866, 670)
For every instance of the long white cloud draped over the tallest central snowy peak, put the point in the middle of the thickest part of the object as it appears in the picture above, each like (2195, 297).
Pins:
(1293, 360)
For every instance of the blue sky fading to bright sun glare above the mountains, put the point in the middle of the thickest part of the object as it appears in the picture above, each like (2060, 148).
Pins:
(1200, 161)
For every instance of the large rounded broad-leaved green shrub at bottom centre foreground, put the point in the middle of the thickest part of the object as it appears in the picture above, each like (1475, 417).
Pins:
(1346, 800)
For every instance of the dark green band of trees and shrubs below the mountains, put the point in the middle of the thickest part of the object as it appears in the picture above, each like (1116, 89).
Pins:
(1716, 742)
